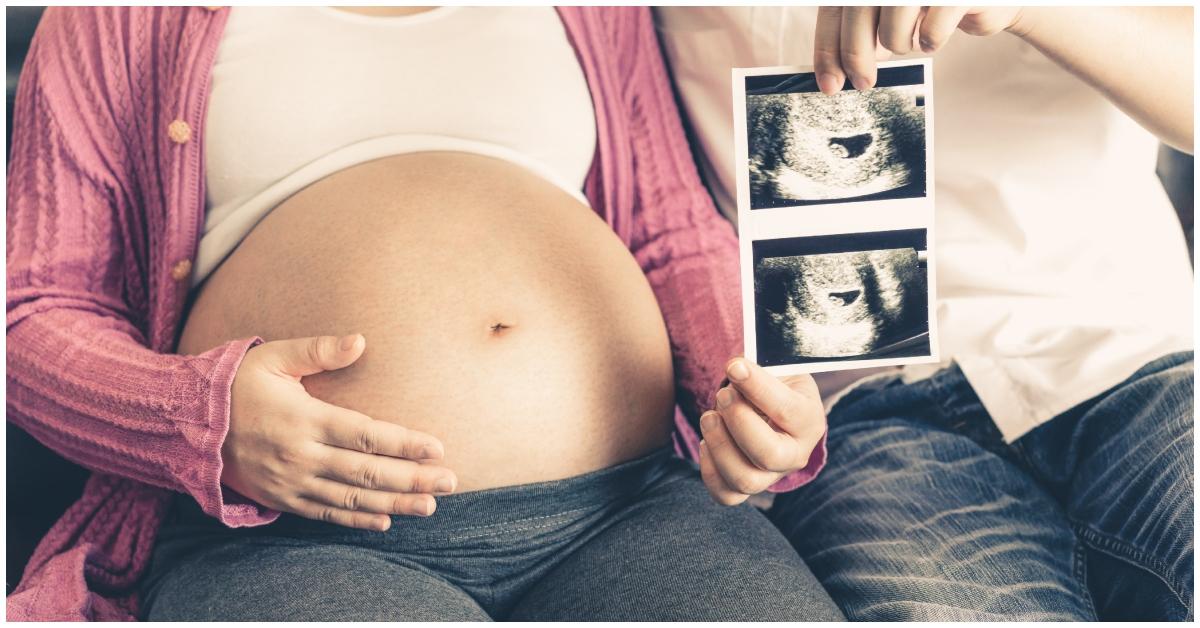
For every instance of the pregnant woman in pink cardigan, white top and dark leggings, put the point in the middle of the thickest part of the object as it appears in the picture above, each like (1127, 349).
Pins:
(400, 303)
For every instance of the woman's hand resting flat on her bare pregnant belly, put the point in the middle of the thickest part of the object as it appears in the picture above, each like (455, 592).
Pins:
(292, 452)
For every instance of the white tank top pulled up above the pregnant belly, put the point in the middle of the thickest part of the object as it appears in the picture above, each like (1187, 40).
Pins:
(302, 93)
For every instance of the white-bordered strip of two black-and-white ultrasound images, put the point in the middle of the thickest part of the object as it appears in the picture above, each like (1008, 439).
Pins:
(836, 219)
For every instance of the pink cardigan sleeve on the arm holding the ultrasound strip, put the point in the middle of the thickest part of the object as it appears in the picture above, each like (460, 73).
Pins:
(687, 249)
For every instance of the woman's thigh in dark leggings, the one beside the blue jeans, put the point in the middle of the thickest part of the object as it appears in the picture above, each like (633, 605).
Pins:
(677, 555)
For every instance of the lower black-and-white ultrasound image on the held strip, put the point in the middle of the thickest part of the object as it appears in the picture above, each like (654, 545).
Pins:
(841, 306)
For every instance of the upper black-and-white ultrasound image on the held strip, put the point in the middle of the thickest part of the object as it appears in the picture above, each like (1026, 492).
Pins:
(809, 148)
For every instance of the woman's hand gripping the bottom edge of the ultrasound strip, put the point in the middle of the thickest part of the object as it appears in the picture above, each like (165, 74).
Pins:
(764, 428)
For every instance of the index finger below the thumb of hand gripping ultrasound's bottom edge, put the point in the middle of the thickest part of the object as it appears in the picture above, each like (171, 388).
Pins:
(761, 445)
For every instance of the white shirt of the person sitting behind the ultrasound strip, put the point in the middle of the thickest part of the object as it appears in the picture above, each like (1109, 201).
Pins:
(1063, 267)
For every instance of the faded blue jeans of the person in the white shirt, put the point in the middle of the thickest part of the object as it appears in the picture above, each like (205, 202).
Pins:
(925, 512)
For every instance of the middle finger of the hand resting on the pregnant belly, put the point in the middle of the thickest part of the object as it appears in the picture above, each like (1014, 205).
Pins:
(386, 474)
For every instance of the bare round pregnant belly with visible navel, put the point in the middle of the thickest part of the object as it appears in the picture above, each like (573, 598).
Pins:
(501, 315)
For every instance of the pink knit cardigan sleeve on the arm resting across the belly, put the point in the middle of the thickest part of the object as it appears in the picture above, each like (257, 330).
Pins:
(81, 376)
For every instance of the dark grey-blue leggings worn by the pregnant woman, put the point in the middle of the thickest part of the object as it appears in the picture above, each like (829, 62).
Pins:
(640, 541)
